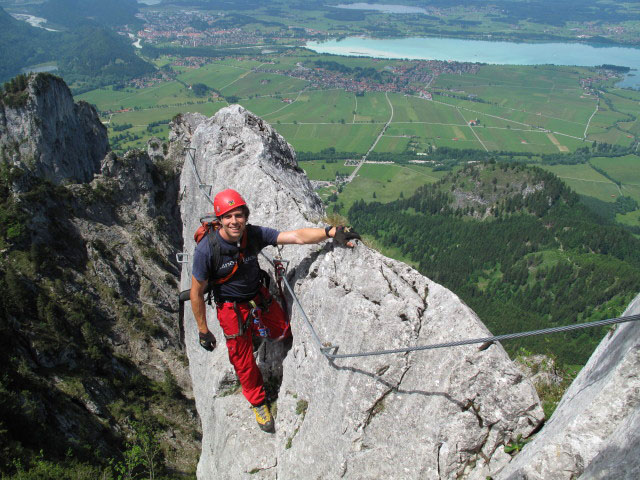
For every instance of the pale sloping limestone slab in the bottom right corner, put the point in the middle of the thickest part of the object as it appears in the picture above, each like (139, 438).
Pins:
(594, 432)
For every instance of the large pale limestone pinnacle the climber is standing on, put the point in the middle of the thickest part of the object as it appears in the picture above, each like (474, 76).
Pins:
(435, 414)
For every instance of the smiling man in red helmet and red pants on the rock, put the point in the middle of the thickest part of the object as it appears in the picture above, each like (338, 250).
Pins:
(244, 306)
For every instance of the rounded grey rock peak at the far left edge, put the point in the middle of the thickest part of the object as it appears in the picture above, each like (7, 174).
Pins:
(50, 136)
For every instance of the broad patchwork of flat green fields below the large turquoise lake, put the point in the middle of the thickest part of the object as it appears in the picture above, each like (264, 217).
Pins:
(539, 109)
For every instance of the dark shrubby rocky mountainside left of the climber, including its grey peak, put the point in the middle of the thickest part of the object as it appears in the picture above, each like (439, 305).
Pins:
(95, 348)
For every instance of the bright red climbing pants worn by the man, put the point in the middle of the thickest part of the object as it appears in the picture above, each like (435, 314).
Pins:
(241, 348)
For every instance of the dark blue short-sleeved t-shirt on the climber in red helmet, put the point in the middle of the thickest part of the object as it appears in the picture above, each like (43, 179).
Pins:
(244, 284)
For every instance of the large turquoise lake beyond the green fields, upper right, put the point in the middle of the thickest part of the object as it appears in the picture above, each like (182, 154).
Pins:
(499, 53)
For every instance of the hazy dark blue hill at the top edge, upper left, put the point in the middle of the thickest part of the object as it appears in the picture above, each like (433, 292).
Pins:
(77, 12)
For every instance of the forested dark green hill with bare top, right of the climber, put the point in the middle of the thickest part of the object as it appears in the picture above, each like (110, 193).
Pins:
(518, 246)
